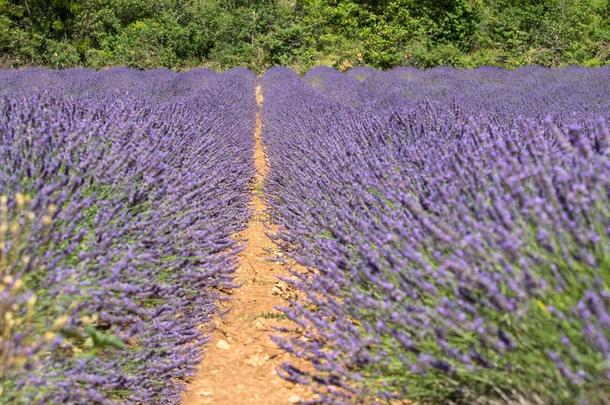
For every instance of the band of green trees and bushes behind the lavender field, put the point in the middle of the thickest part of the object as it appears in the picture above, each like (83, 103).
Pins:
(304, 33)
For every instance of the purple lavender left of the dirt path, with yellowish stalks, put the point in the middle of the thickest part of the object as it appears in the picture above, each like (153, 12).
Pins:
(120, 193)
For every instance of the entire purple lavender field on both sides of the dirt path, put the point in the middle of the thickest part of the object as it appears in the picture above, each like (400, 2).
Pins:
(452, 229)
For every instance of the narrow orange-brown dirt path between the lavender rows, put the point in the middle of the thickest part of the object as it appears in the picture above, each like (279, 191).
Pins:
(239, 363)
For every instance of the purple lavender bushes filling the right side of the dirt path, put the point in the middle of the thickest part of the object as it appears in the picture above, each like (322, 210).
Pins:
(458, 239)
